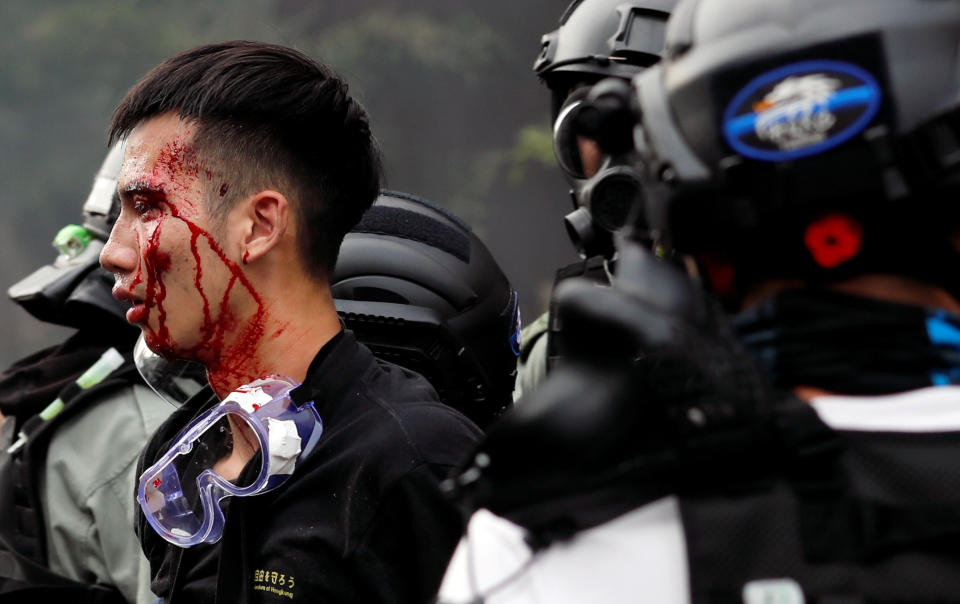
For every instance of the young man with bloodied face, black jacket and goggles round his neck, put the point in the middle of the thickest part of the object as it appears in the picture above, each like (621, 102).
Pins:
(310, 471)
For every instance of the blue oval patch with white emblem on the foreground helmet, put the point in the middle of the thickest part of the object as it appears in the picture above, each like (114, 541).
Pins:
(800, 110)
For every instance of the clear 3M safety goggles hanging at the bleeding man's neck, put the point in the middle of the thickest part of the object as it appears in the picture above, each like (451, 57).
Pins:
(248, 444)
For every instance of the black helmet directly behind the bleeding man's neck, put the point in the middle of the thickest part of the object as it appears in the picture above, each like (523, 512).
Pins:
(420, 289)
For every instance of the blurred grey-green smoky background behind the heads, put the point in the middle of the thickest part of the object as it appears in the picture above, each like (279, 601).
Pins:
(460, 116)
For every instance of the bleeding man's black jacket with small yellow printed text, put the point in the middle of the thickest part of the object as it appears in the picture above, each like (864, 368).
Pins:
(361, 520)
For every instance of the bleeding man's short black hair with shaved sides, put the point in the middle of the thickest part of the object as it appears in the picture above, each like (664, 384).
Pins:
(268, 116)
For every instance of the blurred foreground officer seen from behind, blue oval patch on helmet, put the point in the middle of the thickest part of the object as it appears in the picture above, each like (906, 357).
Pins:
(804, 155)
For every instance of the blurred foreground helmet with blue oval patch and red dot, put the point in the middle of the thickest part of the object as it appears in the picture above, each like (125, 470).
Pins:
(807, 139)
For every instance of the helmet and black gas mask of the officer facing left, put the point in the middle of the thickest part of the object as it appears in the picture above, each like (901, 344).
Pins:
(597, 39)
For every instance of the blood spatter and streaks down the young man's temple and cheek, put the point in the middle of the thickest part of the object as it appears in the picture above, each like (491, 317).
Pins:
(198, 305)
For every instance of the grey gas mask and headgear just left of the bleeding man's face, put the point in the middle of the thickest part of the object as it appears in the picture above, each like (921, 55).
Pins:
(74, 290)
